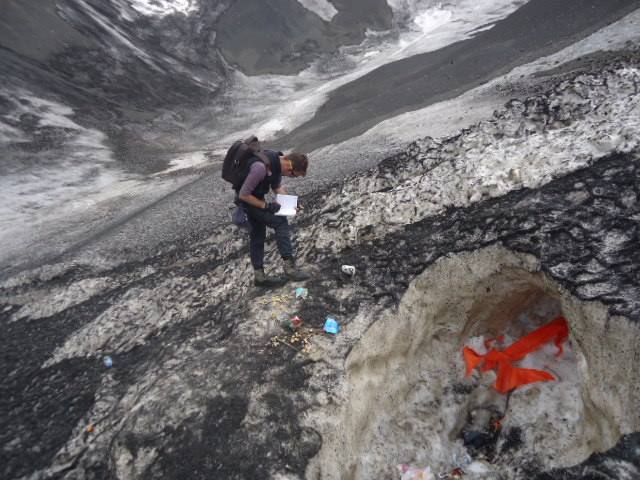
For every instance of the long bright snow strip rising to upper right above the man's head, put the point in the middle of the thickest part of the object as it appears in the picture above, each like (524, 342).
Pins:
(257, 100)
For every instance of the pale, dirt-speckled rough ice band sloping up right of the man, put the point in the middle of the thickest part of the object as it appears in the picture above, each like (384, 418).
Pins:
(526, 145)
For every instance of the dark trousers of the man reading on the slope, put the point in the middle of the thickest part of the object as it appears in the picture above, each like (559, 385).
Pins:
(260, 220)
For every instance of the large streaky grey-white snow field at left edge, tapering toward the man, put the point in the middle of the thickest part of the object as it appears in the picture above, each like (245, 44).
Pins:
(59, 179)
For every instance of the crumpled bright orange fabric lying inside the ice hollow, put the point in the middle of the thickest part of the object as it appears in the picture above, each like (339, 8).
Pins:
(509, 376)
